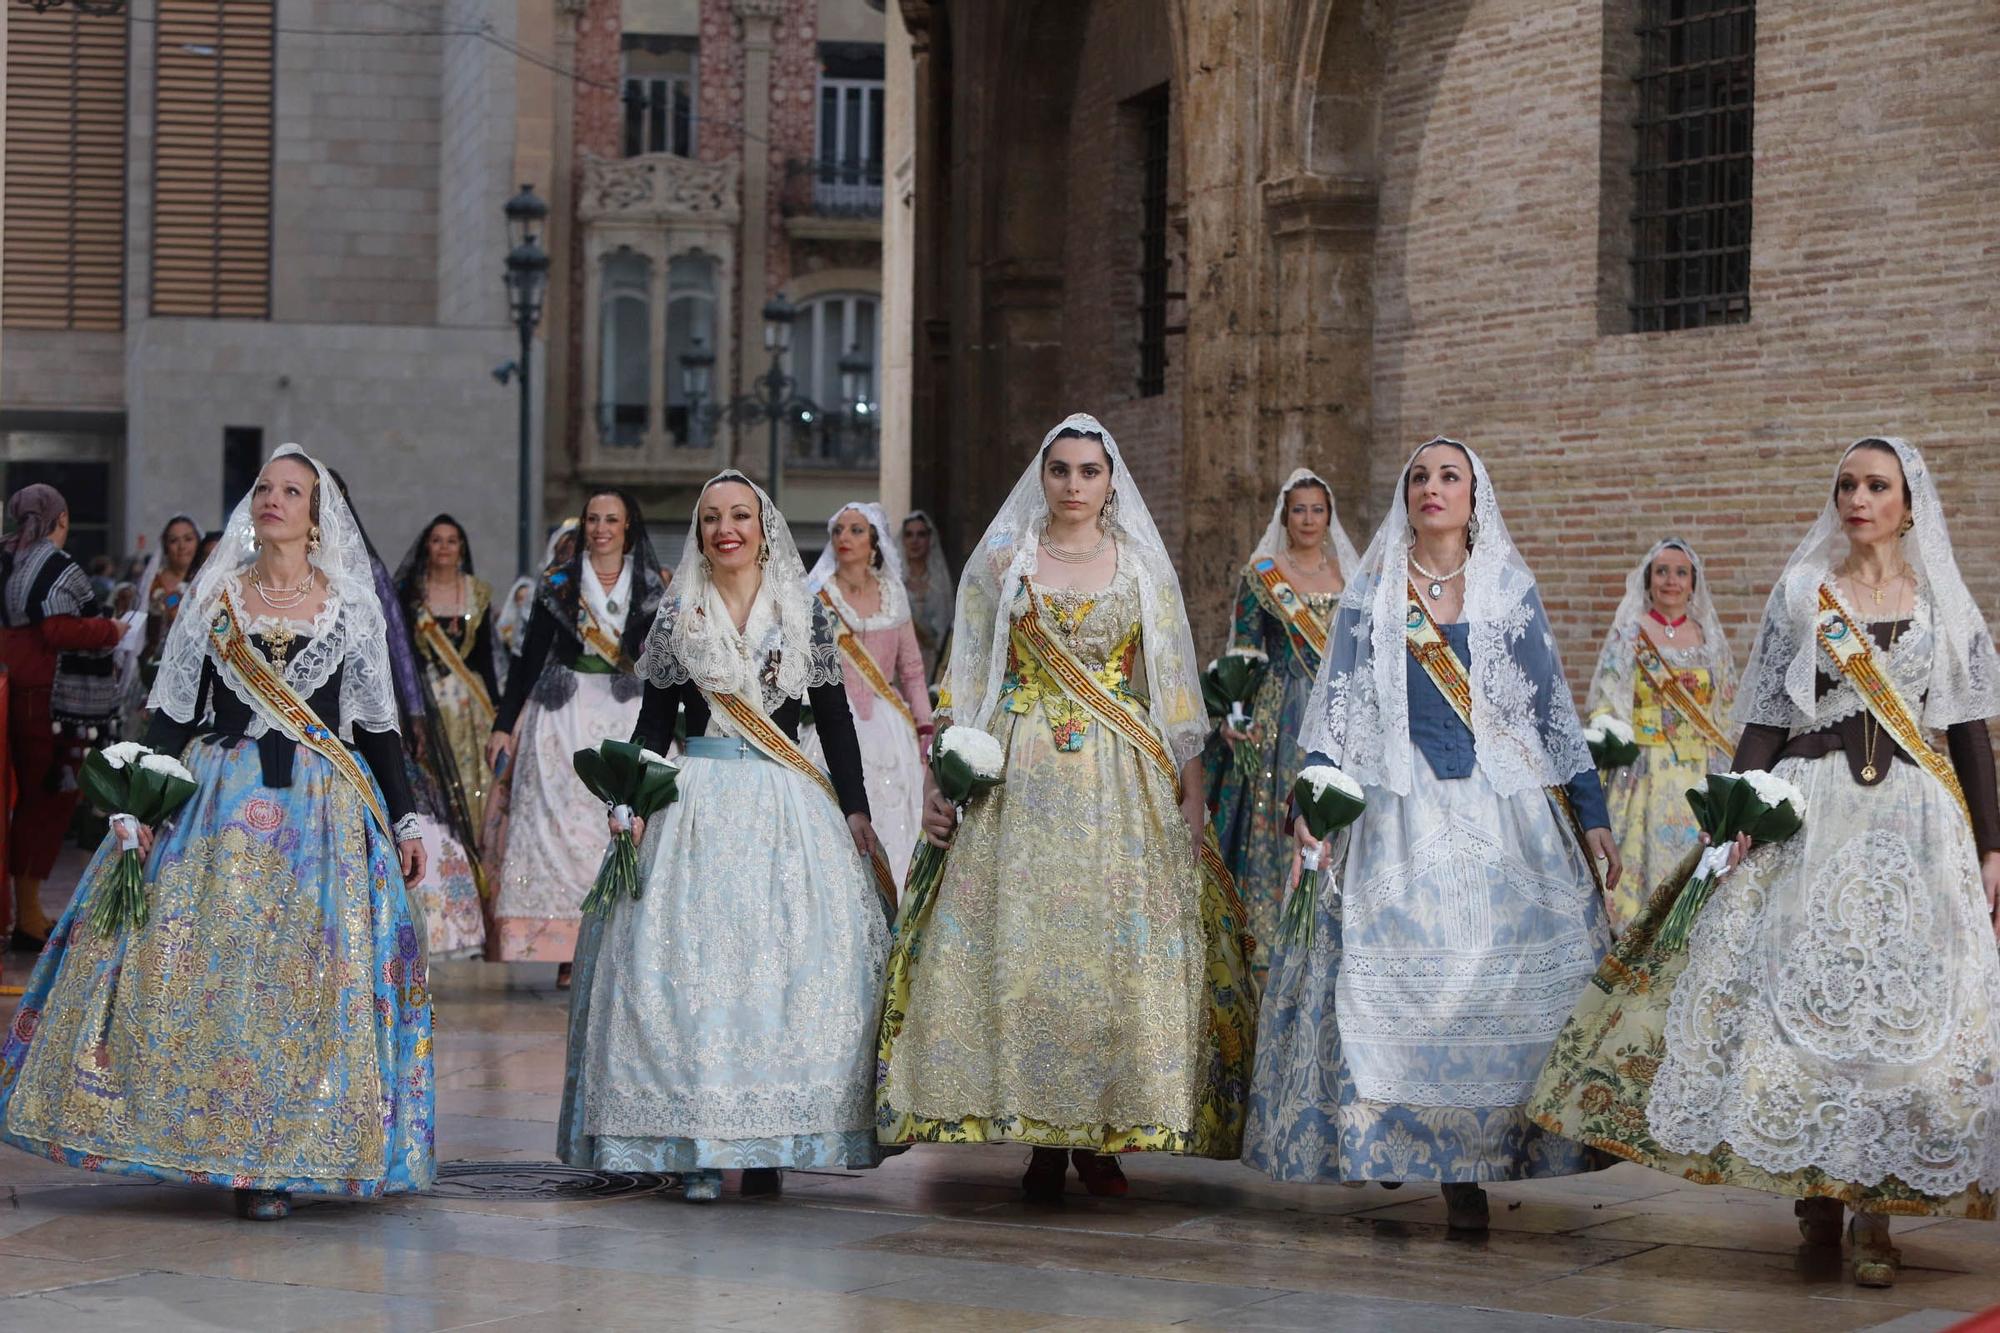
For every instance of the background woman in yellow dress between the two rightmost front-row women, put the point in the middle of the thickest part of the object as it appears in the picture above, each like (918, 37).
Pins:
(1667, 639)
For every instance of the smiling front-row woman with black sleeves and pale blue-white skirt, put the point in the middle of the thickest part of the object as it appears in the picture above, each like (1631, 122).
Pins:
(727, 1018)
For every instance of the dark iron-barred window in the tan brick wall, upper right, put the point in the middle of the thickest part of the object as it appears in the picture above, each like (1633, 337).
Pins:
(1691, 247)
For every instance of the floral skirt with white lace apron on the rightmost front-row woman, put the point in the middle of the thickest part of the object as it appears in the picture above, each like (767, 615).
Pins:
(1831, 1026)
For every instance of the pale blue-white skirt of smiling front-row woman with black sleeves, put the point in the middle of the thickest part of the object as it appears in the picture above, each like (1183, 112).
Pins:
(727, 1018)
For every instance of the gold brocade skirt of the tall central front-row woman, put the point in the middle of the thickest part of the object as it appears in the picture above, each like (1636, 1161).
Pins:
(1077, 980)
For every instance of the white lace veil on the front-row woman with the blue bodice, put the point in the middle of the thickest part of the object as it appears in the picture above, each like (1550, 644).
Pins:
(1525, 728)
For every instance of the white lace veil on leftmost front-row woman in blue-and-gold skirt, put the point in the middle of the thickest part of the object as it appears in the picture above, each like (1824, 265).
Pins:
(351, 635)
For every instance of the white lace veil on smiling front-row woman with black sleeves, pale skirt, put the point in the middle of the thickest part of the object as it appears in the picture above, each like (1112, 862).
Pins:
(785, 647)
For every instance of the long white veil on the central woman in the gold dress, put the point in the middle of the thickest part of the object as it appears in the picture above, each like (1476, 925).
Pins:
(983, 621)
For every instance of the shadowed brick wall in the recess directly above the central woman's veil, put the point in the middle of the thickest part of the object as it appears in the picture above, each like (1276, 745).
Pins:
(1125, 55)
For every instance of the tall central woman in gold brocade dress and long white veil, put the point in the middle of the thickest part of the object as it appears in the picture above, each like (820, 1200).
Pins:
(1077, 982)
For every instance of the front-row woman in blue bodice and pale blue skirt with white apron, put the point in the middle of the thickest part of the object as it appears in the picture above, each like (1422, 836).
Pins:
(1405, 1042)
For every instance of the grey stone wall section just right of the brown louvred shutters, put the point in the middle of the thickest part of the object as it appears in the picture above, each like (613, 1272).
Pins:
(355, 203)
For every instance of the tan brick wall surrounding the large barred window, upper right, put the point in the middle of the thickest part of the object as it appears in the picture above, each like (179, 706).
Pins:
(1873, 293)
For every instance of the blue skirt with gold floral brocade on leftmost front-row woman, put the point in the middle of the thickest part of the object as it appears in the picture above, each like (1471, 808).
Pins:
(269, 1028)
